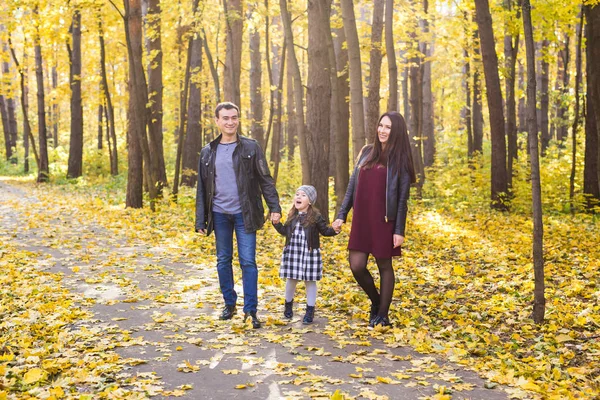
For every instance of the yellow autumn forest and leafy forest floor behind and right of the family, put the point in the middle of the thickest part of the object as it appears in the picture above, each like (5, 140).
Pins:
(114, 101)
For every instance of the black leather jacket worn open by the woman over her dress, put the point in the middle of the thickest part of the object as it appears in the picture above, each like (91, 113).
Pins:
(397, 193)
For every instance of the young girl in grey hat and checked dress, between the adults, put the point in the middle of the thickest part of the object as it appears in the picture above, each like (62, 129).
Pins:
(301, 259)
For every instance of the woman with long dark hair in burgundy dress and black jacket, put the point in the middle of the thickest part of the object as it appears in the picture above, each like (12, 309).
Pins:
(378, 190)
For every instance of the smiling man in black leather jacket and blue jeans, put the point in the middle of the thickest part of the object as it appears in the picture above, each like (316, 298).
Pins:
(232, 174)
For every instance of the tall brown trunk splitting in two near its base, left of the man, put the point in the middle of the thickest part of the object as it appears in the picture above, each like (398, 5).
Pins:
(138, 99)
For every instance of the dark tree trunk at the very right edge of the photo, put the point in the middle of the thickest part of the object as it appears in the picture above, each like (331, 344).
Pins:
(591, 181)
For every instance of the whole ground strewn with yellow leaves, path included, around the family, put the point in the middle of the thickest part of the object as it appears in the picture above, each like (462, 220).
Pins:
(463, 293)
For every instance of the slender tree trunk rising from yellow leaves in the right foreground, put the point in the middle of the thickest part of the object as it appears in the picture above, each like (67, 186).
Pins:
(539, 301)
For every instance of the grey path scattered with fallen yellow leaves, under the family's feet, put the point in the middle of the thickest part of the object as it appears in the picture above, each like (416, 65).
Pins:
(158, 308)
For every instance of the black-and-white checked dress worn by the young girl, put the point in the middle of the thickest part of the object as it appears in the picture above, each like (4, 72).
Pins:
(297, 262)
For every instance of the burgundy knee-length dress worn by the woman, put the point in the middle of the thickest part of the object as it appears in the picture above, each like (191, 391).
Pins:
(370, 233)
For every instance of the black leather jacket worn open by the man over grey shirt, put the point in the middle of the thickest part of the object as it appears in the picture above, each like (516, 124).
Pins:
(252, 177)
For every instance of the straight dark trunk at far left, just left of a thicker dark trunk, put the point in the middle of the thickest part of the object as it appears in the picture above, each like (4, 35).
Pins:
(43, 167)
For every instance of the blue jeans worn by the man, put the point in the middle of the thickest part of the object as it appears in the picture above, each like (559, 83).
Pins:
(224, 225)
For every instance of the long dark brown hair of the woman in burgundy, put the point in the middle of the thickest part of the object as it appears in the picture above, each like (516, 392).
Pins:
(397, 151)
